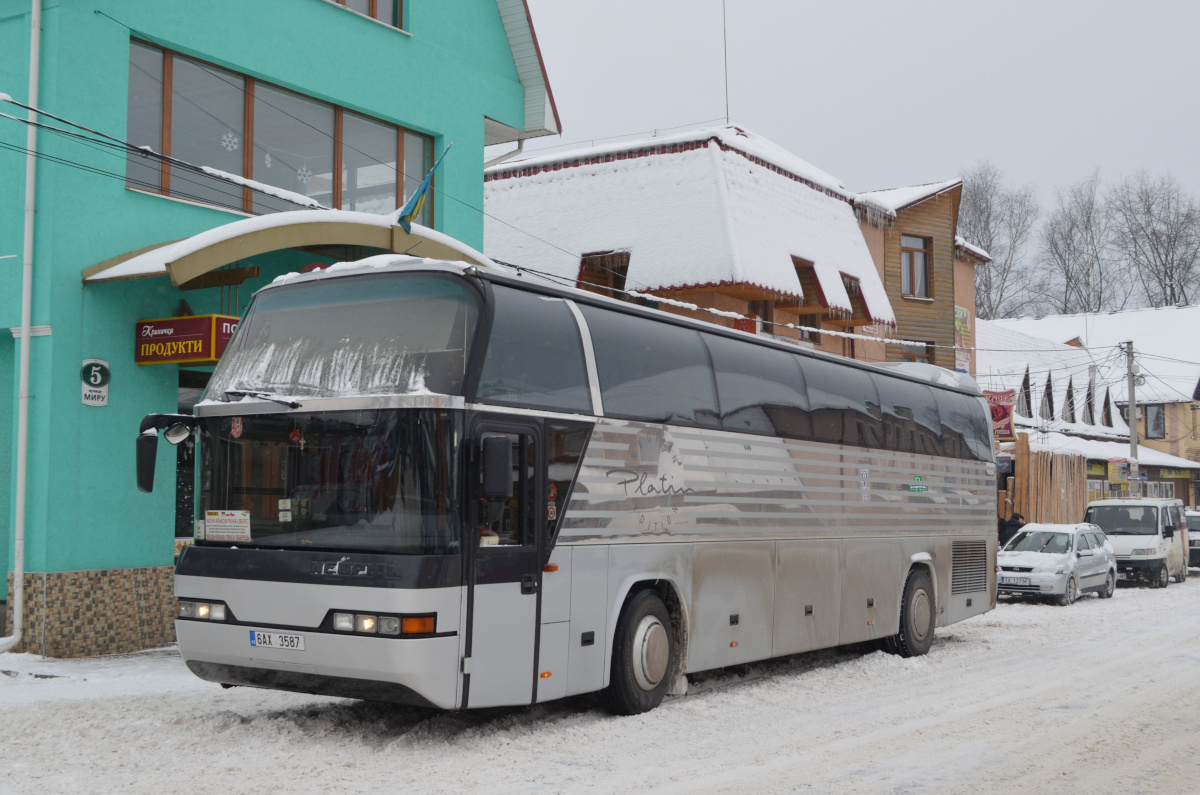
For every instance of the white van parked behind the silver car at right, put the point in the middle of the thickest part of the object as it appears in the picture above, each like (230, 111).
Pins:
(1149, 536)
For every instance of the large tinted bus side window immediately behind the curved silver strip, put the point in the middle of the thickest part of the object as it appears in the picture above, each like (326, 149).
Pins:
(652, 372)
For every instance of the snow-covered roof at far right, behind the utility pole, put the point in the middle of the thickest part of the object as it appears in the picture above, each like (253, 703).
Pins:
(1167, 343)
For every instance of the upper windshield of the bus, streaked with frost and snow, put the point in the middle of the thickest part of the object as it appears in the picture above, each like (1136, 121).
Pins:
(379, 334)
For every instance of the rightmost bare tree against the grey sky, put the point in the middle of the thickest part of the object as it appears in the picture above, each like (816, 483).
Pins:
(1157, 229)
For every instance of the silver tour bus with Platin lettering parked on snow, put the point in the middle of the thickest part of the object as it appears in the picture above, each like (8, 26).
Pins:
(459, 487)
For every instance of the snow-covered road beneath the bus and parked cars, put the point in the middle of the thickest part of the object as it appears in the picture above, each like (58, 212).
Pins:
(1102, 697)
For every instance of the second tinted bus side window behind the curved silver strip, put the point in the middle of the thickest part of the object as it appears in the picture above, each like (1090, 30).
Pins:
(761, 390)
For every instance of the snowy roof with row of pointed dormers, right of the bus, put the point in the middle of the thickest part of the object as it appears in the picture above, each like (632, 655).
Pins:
(1005, 356)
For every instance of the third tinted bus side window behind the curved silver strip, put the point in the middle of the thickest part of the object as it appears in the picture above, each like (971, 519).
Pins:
(844, 402)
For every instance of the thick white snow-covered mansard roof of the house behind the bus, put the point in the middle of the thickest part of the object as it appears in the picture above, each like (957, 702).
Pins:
(705, 208)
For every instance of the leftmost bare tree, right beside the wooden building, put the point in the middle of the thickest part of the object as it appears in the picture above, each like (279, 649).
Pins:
(1001, 220)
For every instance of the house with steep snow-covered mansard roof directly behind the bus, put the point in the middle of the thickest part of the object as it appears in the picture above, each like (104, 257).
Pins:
(715, 219)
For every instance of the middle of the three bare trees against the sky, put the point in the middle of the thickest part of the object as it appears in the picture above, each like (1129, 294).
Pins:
(1081, 272)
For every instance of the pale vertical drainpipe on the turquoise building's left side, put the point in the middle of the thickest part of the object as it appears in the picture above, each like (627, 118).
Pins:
(27, 304)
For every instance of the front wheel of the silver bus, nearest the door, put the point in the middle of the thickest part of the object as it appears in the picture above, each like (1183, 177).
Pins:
(643, 656)
